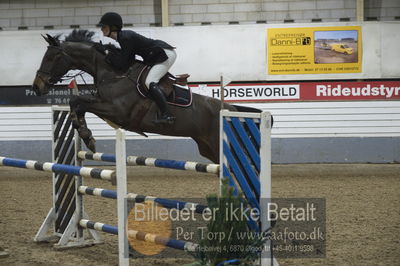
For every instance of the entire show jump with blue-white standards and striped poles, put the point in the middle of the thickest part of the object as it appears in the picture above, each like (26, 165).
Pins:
(245, 157)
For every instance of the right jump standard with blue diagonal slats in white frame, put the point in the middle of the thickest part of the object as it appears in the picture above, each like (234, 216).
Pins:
(245, 158)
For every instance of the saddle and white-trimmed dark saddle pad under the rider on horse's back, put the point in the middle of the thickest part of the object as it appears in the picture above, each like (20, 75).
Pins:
(175, 88)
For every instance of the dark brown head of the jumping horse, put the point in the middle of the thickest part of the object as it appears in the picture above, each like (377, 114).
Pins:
(55, 64)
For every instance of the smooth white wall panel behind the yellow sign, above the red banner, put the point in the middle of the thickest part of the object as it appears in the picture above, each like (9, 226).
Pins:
(207, 51)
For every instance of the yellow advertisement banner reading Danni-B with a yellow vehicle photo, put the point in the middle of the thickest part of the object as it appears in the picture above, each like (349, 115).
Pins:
(316, 50)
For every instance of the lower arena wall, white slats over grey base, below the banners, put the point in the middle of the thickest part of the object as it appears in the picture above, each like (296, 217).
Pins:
(338, 132)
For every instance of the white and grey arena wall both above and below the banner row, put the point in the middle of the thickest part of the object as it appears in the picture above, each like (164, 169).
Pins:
(322, 131)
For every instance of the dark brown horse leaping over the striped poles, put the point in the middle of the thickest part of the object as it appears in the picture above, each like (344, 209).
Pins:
(118, 101)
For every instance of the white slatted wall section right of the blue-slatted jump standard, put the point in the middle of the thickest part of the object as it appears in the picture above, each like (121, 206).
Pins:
(334, 119)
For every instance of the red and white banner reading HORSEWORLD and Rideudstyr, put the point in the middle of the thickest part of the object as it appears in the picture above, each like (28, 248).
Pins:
(304, 91)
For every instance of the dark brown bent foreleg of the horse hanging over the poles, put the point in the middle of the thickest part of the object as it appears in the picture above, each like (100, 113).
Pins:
(79, 106)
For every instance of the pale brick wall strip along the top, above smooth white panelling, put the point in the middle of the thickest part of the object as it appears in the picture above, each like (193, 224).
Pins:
(39, 14)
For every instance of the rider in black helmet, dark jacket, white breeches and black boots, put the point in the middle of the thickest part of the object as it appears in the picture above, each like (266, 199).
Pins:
(155, 53)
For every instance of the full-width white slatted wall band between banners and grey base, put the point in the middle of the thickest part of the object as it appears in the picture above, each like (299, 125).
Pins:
(294, 120)
